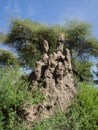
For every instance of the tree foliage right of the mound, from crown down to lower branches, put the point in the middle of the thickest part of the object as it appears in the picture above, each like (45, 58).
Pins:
(83, 46)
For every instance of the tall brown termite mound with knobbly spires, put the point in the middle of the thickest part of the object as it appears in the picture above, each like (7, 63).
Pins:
(58, 89)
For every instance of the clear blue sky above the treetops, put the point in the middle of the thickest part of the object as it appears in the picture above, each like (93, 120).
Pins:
(49, 11)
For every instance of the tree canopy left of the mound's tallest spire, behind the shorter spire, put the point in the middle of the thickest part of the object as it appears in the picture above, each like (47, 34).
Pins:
(27, 36)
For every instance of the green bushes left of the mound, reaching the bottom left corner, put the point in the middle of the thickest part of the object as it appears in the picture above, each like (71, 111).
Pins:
(13, 95)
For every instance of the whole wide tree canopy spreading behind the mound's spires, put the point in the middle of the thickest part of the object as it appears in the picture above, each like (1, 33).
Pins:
(27, 36)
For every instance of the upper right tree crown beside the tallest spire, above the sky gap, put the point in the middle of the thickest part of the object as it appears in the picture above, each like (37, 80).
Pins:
(81, 42)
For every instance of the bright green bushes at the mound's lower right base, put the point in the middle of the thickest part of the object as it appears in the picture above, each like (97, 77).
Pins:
(81, 115)
